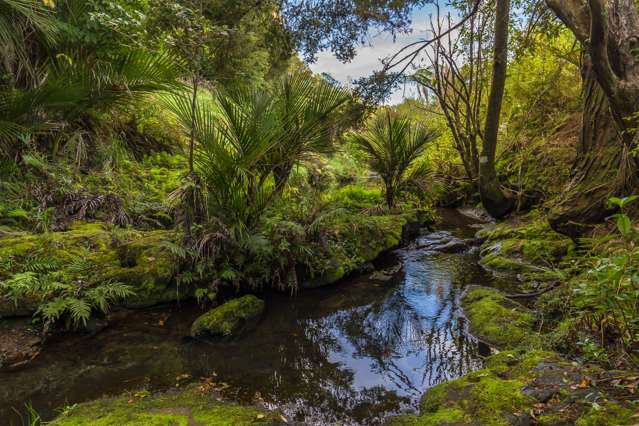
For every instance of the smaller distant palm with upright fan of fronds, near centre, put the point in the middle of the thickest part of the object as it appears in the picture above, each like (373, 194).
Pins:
(393, 144)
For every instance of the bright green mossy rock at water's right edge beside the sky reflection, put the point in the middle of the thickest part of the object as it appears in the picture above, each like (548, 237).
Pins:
(498, 320)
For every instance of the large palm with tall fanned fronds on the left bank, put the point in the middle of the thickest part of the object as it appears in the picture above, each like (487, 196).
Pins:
(248, 140)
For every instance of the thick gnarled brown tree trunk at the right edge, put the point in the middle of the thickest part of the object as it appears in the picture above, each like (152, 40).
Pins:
(604, 165)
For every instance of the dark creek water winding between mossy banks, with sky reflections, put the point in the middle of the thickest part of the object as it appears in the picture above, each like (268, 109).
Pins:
(352, 353)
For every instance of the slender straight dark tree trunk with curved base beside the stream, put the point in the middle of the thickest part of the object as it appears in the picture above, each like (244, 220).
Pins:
(492, 197)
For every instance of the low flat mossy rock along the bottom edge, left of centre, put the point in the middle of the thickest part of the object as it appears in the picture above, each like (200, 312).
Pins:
(186, 407)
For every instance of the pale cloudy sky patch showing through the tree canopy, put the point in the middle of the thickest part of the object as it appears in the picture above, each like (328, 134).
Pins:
(369, 55)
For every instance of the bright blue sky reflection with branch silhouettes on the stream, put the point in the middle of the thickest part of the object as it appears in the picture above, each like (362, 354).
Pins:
(387, 348)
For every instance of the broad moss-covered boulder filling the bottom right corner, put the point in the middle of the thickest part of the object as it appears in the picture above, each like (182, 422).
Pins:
(520, 388)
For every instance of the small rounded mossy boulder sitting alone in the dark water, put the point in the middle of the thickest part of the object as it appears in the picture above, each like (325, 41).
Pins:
(229, 320)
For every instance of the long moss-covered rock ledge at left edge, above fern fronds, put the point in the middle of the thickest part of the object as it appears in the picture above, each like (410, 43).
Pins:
(139, 259)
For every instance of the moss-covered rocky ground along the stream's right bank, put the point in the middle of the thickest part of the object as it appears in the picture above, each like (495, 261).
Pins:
(528, 382)
